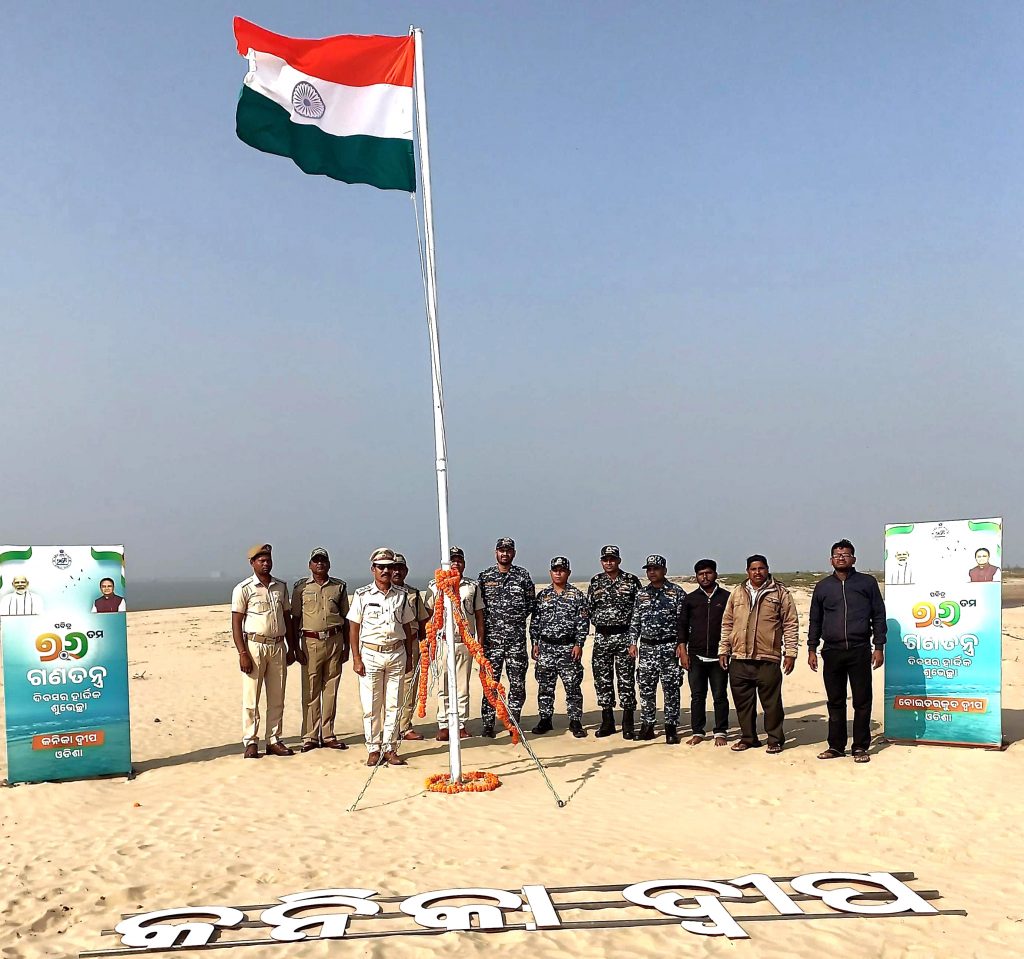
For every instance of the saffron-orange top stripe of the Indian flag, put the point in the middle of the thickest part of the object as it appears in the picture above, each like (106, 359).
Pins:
(356, 62)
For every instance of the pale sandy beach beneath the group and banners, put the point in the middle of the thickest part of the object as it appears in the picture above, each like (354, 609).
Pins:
(200, 825)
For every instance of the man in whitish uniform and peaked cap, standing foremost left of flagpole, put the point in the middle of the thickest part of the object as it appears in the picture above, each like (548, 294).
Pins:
(382, 634)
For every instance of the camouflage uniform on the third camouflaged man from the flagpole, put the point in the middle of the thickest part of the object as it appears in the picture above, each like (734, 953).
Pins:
(611, 608)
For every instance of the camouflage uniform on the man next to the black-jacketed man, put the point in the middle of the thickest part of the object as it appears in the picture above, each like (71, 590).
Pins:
(655, 629)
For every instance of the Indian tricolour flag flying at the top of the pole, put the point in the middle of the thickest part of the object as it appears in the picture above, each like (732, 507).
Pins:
(342, 107)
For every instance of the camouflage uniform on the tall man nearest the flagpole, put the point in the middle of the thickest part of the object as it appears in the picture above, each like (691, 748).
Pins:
(508, 600)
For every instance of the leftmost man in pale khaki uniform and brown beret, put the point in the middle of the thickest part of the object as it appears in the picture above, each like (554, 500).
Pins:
(262, 628)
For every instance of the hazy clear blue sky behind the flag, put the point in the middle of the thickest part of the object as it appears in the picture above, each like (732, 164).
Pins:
(715, 279)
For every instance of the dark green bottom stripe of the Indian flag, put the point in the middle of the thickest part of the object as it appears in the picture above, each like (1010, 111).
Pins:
(387, 164)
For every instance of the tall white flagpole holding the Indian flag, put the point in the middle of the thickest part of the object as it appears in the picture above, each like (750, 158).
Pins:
(455, 753)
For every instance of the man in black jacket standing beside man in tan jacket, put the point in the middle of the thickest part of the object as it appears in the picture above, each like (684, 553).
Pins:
(701, 632)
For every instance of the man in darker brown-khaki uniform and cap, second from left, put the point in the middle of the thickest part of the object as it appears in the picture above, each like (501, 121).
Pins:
(319, 607)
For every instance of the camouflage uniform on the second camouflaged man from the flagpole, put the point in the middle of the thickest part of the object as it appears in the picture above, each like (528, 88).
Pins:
(560, 623)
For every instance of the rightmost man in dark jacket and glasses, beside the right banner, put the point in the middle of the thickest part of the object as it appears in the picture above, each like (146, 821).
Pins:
(848, 615)
